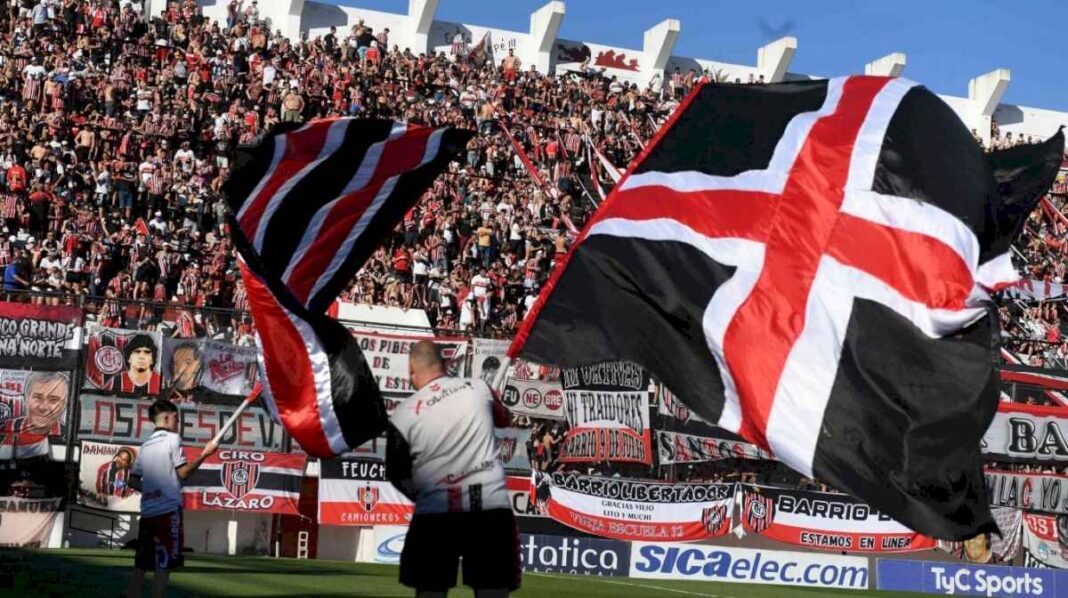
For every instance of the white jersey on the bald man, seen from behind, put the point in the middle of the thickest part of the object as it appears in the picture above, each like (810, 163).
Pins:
(456, 465)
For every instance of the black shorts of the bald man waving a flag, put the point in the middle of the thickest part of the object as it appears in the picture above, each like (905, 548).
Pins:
(489, 542)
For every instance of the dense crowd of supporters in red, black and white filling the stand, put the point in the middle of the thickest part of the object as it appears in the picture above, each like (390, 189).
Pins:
(118, 132)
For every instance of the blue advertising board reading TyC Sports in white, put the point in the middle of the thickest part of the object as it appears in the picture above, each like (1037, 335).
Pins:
(951, 579)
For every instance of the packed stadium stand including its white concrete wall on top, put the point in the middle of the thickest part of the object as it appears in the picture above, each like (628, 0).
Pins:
(119, 121)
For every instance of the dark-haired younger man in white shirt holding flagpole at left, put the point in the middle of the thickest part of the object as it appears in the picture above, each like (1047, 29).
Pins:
(160, 468)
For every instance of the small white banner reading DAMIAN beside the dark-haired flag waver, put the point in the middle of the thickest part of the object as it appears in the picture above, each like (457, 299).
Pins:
(104, 476)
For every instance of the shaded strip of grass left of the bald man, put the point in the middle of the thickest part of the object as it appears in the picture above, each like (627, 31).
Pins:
(105, 573)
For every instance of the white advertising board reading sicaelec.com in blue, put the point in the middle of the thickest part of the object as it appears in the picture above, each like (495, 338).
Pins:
(746, 565)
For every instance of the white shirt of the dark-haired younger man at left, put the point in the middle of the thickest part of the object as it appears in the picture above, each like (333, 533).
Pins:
(161, 489)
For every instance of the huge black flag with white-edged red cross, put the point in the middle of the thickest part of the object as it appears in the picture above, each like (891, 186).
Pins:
(808, 265)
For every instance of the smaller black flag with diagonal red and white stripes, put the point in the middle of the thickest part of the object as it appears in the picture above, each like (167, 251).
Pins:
(310, 206)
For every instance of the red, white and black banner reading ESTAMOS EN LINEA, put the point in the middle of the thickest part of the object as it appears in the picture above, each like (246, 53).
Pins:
(825, 522)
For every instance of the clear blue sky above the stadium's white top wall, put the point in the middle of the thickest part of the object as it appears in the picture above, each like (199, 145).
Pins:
(948, 42)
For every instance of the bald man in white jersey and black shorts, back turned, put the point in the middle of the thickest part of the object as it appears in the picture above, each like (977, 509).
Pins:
(444, 455)
